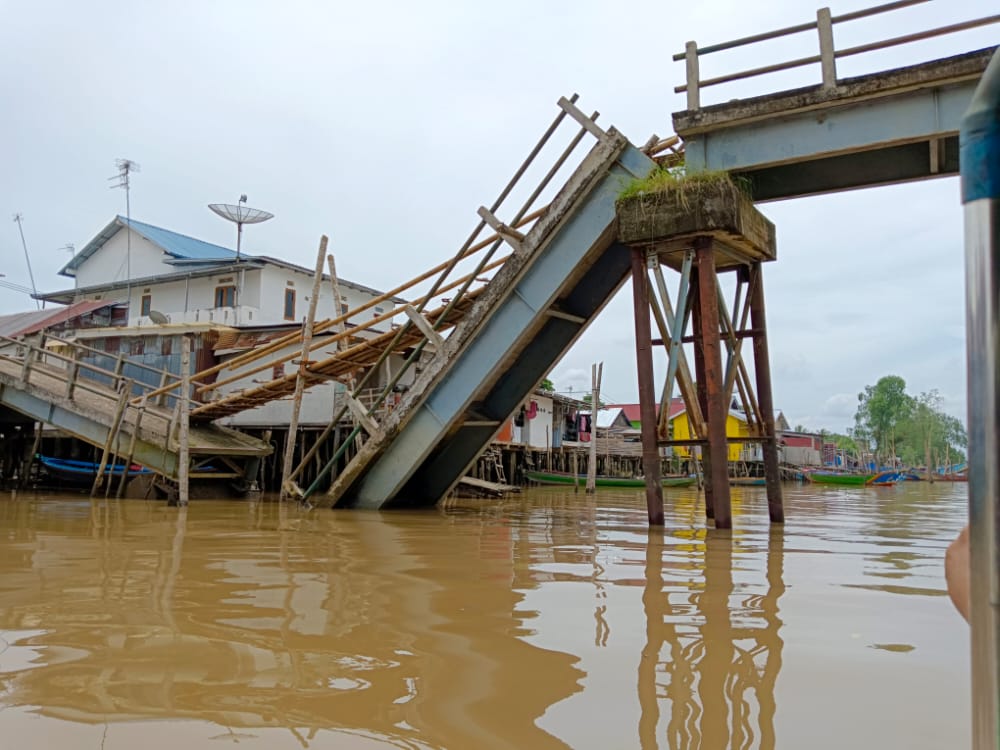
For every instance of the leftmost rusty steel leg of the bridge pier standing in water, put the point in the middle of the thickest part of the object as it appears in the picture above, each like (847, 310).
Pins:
(647, 393)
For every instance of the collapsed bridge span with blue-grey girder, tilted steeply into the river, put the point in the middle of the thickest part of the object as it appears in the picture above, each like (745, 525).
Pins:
(559, 276)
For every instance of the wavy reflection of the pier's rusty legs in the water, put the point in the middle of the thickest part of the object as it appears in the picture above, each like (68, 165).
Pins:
(711, 662)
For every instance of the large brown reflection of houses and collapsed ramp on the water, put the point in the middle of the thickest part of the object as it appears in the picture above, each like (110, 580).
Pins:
(344, 621)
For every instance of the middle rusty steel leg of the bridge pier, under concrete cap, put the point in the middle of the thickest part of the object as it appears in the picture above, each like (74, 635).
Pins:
(708, 337)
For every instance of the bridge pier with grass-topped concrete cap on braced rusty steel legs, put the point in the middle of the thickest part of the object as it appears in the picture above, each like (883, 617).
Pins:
(715, 225)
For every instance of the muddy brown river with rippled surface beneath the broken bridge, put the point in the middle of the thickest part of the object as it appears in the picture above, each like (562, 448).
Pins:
(550, 620)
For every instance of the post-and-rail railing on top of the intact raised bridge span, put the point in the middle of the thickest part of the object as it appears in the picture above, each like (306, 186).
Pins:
(826, 57)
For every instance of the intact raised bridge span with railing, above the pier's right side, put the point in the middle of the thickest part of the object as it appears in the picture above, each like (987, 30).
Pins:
(884, 127)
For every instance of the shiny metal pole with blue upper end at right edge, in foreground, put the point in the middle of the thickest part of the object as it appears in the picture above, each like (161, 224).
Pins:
(979, 155)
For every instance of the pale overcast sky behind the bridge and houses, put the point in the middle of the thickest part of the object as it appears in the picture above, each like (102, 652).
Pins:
(385, 125)
